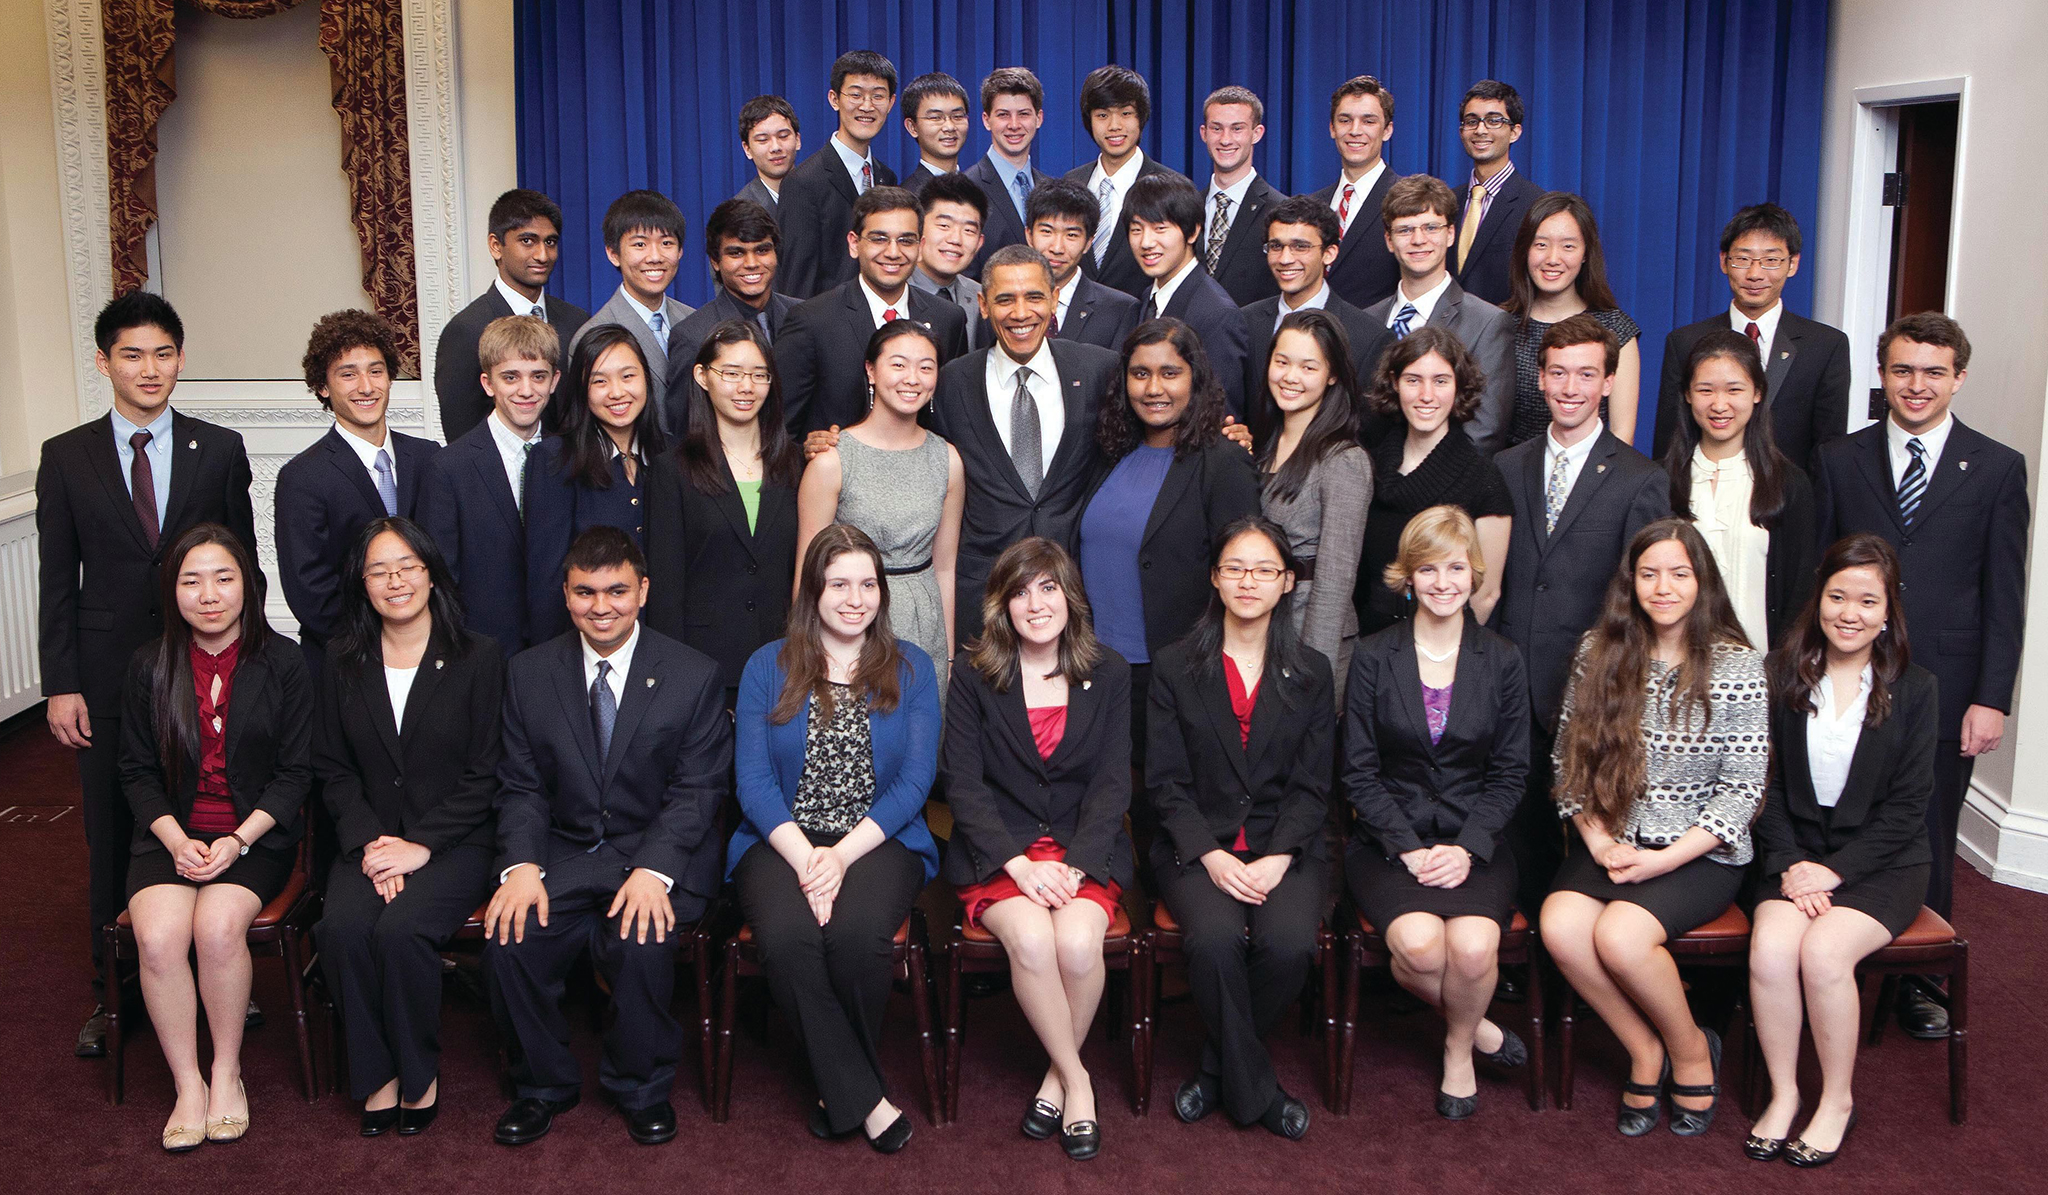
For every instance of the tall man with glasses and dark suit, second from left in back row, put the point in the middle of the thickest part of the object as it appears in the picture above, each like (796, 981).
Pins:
(818, 198)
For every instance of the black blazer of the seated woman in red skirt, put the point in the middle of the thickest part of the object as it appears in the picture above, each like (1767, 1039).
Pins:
(1005, 796)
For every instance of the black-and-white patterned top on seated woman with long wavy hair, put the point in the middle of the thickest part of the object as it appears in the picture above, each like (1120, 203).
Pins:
(1709, 778)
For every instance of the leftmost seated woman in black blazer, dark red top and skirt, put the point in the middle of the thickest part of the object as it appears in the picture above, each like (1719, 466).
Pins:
(216, 761)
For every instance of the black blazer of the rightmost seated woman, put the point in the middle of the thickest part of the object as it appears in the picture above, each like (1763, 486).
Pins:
(1881, 819)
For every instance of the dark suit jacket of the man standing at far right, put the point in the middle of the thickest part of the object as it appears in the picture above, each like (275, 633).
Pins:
(1961, 569)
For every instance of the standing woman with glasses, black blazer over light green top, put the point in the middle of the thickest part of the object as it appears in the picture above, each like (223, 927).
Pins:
(722, 509)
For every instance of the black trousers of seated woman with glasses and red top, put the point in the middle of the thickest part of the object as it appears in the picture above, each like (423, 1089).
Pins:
(1246, 964)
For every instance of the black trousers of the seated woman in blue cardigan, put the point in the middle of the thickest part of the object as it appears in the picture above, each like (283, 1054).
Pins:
(833, 979)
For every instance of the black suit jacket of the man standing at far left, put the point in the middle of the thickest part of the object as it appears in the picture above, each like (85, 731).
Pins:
(97, 583)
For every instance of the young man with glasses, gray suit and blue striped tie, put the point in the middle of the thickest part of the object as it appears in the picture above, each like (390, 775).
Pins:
(1420, 216)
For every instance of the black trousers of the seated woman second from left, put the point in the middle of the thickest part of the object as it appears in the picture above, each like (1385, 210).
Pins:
(384, 964)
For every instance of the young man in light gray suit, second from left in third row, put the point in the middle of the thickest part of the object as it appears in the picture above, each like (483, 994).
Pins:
(644, 239)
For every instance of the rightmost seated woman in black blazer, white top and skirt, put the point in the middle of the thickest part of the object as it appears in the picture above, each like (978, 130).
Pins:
(1842, 841)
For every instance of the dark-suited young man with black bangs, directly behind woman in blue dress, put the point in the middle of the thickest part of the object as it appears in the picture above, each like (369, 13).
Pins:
(1164, 226)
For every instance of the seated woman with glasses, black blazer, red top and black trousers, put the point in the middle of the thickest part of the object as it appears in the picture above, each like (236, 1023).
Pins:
(1238, 772)
